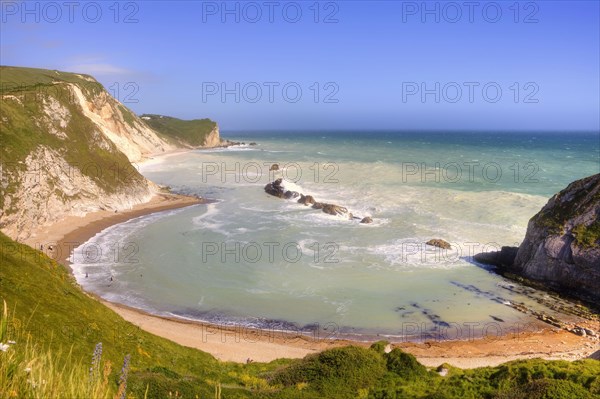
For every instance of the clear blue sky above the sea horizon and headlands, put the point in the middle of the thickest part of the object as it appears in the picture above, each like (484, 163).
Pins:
(251, 65)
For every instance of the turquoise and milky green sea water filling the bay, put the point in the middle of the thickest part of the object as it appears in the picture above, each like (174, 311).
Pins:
(252, 259)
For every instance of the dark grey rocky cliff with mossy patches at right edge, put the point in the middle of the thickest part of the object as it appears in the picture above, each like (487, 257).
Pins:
(562, 244)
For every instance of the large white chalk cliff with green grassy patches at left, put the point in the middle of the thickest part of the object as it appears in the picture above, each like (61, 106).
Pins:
(66, 149)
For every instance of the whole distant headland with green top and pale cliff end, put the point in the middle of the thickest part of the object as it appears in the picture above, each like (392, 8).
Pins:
(187, 133)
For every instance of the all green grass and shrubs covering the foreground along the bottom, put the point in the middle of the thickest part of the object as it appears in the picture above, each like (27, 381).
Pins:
(56, 327)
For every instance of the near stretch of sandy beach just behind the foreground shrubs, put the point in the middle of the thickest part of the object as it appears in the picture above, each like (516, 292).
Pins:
(238, 344)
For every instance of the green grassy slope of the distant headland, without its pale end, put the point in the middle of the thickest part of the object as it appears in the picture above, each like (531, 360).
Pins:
(192, 132)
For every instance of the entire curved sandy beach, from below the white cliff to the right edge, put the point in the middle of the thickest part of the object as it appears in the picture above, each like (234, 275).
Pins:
(241, 344)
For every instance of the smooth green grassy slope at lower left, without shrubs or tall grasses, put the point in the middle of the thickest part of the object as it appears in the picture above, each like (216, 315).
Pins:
(49, 305)
